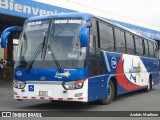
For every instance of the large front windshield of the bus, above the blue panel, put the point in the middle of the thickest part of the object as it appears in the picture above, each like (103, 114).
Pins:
(50, 44)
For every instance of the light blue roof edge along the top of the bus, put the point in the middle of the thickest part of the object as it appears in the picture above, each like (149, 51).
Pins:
(80, 15)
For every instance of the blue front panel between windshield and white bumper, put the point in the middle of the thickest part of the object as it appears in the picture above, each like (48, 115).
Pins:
(50, 74)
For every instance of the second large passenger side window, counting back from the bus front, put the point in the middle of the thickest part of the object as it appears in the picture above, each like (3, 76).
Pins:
(120, 41)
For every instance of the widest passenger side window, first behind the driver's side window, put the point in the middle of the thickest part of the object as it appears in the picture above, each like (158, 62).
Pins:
(106, 37)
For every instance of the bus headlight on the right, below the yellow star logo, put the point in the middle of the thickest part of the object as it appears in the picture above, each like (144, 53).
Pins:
(71, 85)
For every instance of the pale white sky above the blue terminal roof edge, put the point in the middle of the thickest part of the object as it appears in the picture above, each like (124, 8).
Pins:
(144, 11)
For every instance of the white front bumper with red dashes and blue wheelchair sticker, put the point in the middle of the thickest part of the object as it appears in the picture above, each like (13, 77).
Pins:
(51, 91)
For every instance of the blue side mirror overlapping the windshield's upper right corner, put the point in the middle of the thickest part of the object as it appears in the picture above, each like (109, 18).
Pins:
(84, 35)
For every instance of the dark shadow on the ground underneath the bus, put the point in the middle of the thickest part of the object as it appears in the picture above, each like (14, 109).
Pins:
(78, 106)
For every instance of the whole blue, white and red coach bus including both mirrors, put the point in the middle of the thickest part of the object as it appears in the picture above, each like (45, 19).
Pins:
(80, 57)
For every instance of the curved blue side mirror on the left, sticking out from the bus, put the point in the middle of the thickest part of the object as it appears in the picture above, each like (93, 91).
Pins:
(5, 34)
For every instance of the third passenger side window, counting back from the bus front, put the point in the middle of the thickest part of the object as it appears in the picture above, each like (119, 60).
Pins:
(130, 43)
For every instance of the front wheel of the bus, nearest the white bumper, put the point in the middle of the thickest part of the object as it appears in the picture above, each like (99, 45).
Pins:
(111, 94)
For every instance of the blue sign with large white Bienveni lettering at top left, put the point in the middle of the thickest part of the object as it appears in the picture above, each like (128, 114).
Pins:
(28, 8)
